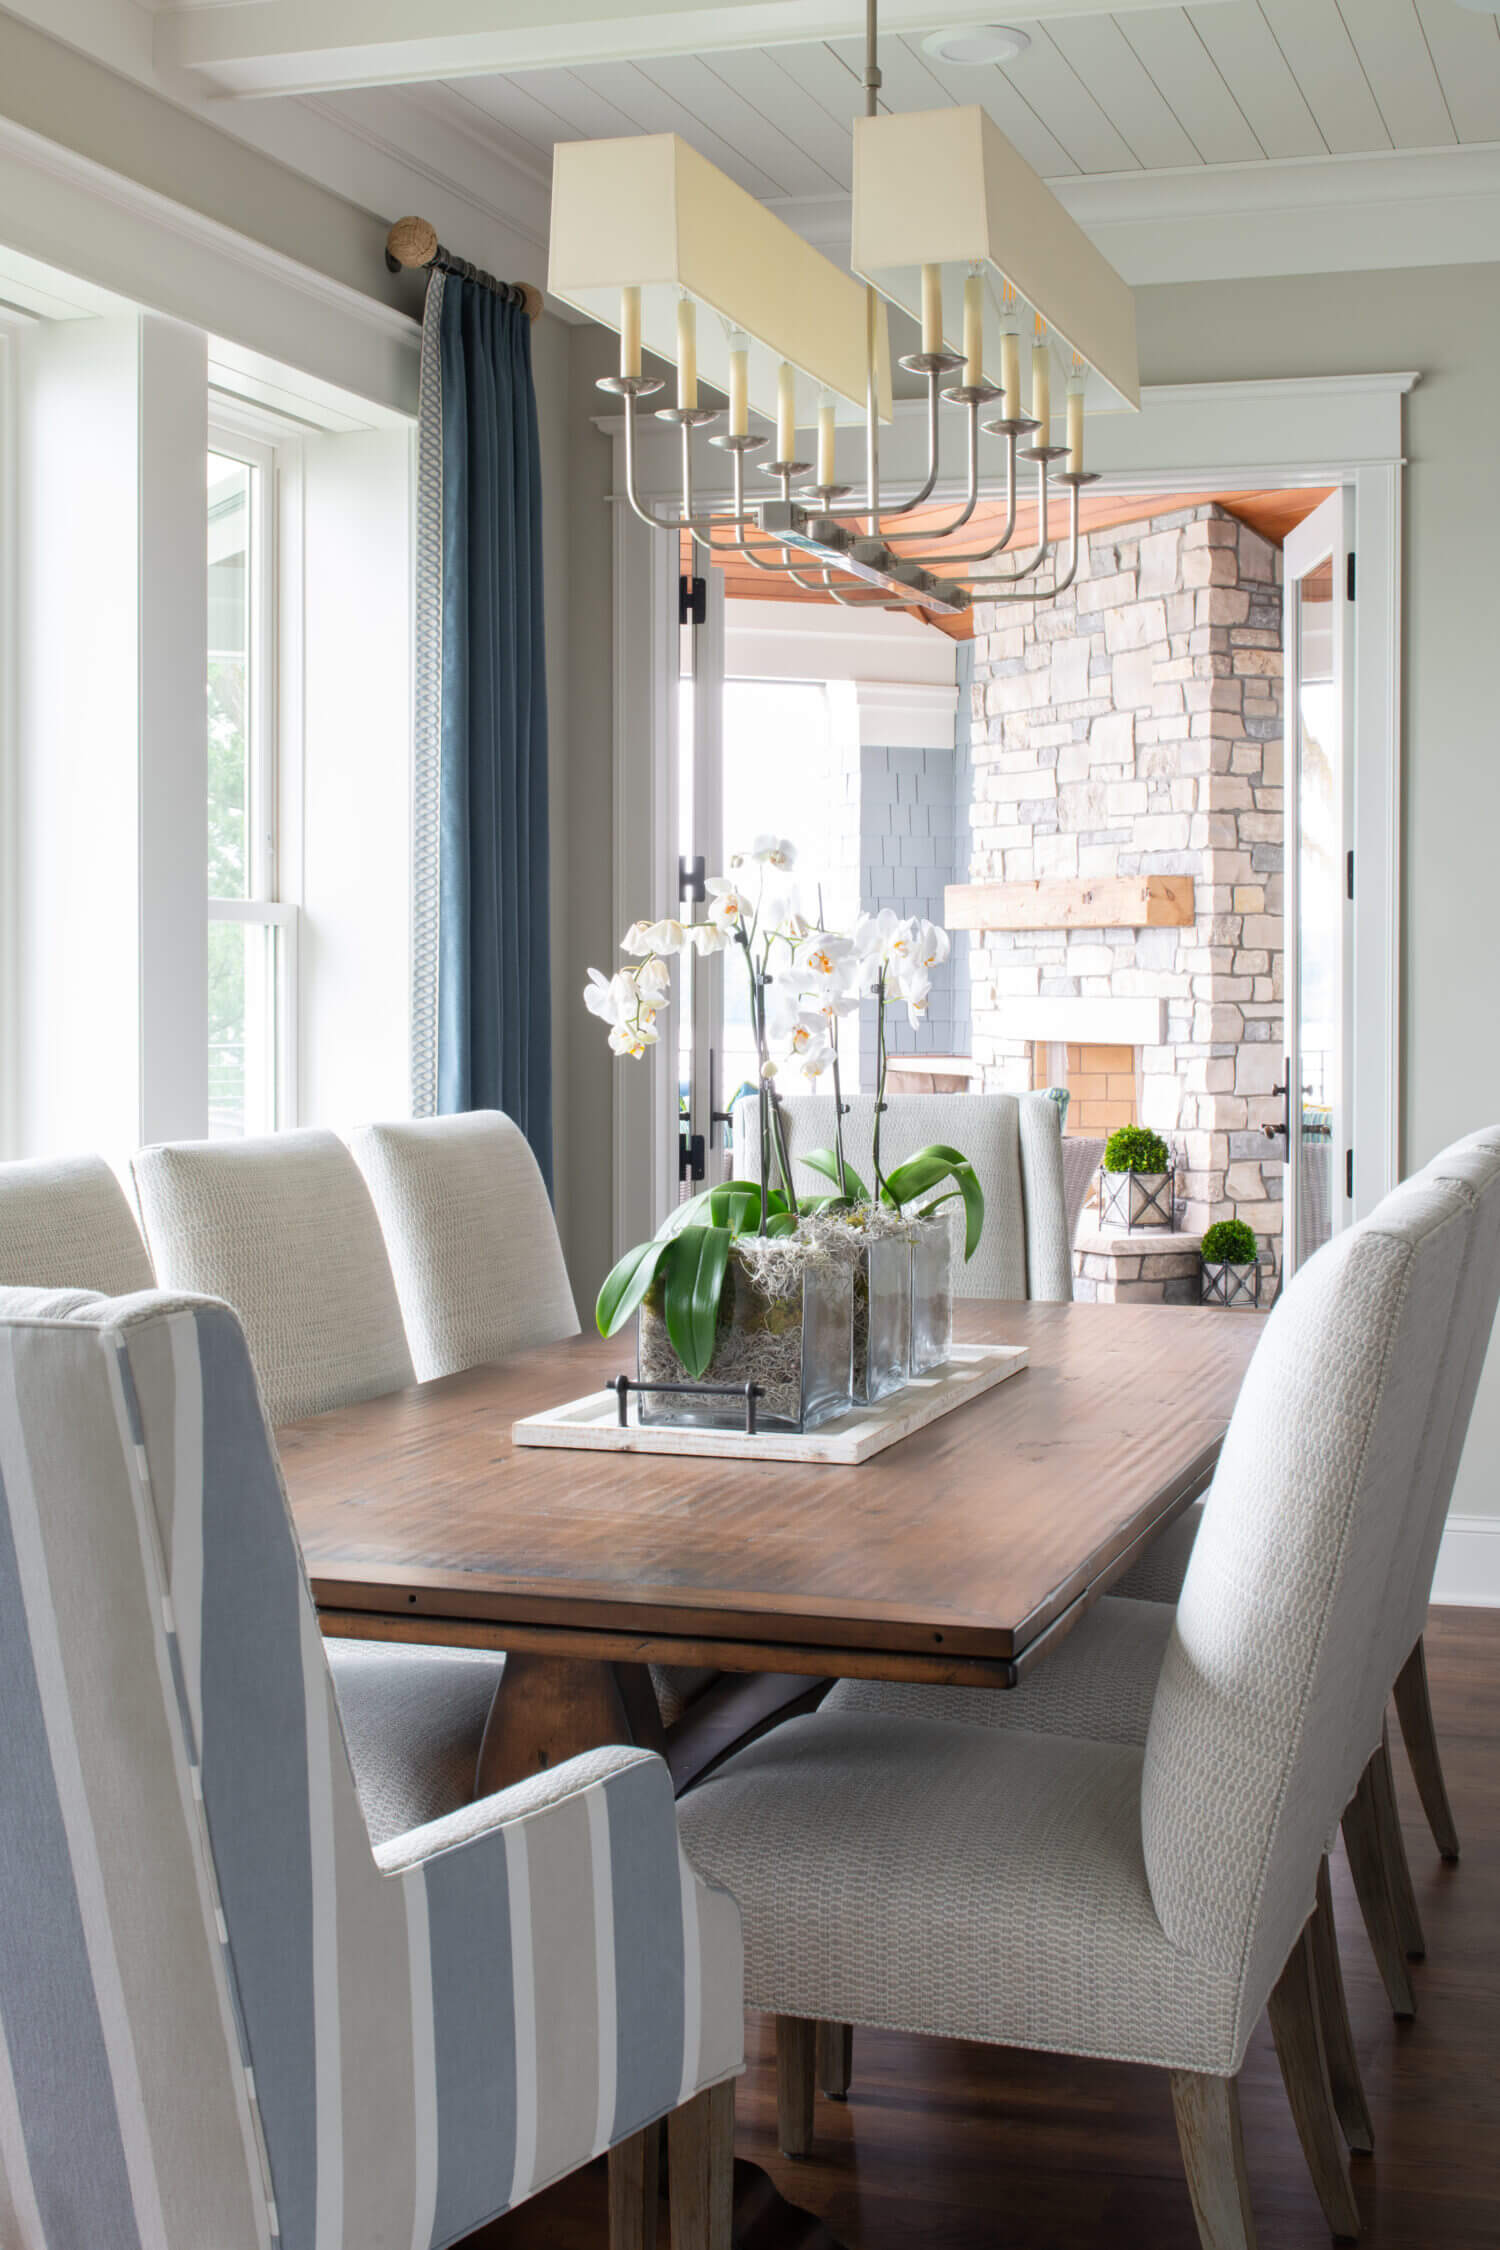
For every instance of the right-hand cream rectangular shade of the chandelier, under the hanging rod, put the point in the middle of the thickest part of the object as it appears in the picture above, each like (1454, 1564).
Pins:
(957, 228)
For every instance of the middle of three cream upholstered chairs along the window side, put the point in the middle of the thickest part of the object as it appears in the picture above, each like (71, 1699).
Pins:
(284, 1230)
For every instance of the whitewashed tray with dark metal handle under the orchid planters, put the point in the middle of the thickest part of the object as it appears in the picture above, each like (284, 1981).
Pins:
(593, 1425)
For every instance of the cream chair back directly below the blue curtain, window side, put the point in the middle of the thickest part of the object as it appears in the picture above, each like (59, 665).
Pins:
(471, 1236)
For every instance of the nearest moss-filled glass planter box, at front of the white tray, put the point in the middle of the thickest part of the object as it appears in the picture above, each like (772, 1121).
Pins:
(786, 1329)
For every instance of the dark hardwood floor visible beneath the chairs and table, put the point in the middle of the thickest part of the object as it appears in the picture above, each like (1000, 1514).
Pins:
(968, 2148)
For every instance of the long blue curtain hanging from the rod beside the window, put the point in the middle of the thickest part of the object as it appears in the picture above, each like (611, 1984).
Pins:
(482, 1007)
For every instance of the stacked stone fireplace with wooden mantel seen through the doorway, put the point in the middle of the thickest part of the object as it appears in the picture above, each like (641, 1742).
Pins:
(1130, 730)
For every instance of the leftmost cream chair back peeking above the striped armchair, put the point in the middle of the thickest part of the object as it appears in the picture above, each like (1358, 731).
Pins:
(66, 1225)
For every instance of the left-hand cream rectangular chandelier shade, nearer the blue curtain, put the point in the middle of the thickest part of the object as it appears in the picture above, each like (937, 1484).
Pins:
(653, 215)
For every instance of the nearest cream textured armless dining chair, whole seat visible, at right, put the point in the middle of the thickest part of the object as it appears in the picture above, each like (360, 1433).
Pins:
(1119, 1898)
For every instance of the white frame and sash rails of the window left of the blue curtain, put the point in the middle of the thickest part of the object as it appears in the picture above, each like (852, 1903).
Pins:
(246, 435)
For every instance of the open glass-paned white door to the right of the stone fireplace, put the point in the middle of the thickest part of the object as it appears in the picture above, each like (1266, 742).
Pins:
(1319, 899)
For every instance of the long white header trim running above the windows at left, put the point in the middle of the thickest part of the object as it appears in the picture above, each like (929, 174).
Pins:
(165, 258)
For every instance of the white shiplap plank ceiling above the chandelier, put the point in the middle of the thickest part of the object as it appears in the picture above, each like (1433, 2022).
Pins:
(1240, 82)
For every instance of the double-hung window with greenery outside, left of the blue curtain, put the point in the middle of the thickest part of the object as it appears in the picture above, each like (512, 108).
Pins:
(253, 933)
